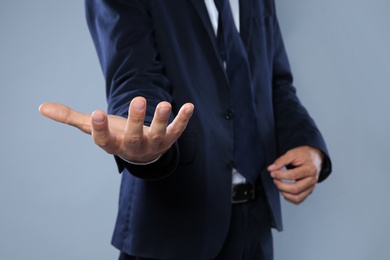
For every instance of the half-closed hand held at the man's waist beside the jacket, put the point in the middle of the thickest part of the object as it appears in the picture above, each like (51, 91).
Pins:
(298, 182)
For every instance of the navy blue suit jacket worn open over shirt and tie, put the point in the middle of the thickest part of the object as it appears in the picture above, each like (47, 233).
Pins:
(179, 207)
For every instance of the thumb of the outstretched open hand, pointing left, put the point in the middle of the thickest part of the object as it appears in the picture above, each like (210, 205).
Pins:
(66, 115)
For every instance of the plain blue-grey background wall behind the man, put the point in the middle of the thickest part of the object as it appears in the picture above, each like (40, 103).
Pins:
(58, 192)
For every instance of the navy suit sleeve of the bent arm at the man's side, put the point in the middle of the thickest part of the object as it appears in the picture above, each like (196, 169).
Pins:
(294, 126)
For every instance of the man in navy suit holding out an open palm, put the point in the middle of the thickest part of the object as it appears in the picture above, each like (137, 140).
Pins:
(204, 124)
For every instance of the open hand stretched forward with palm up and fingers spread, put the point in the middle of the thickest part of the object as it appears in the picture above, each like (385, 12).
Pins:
(127, 138)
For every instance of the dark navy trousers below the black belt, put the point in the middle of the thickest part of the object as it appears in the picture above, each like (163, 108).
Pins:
(249, 234)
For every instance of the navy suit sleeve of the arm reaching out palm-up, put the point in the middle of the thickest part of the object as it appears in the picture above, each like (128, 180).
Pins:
(122, 32)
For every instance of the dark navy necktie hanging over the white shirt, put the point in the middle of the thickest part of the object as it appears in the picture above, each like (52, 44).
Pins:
(248, 150)
